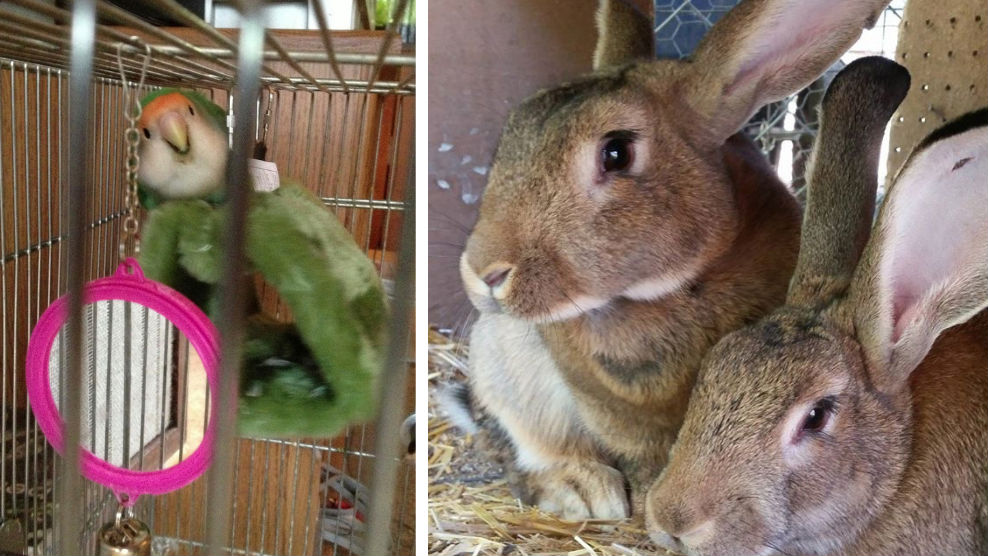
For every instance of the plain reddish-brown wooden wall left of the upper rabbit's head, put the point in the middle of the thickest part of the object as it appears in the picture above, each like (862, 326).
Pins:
(485, 57)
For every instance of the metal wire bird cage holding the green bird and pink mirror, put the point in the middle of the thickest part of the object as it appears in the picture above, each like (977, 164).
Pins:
(336, 113)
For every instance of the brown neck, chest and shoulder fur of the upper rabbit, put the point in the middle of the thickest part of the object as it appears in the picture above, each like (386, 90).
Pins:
(632, 366)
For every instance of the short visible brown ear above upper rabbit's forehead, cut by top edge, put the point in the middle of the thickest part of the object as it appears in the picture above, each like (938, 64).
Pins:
(624, 33)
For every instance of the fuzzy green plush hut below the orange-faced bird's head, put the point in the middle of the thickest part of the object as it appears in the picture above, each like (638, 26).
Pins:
(310, 378)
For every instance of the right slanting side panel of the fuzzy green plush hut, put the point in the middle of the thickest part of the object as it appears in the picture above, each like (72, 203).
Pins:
(323, 276)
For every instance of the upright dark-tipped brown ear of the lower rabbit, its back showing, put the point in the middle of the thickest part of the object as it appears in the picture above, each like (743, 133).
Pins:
(843, 177)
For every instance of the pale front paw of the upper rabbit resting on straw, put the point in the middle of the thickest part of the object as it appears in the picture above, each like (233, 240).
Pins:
(577, 491)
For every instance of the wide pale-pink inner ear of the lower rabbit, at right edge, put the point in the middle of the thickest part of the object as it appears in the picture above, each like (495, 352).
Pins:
(926, 267)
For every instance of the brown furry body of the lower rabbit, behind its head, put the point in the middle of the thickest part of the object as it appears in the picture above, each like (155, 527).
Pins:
(949, 420)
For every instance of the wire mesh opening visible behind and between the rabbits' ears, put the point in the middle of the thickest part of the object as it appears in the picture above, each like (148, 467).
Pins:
(784, 130)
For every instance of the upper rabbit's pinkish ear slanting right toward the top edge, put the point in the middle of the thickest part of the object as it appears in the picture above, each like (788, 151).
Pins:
(764, 50)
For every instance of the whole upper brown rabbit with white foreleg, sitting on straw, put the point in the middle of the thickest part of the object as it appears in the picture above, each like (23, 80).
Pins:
(625, 228)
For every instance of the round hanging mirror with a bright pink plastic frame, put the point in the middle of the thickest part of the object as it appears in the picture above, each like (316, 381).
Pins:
(148, 382)
